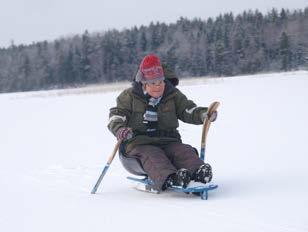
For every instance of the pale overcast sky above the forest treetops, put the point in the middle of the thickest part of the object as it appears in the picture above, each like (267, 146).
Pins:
(25, 21)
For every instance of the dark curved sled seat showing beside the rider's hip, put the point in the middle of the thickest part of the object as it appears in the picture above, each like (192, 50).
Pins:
(131, 164)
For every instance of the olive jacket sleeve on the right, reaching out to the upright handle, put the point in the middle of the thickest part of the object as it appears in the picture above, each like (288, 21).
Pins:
(187, 110)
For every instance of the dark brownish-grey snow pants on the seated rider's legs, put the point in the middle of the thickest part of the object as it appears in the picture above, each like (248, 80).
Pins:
(161, 161)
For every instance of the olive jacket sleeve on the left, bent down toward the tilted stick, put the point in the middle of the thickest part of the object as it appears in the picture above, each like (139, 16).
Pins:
(120, 115)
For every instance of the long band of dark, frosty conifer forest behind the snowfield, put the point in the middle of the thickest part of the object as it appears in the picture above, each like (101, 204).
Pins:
(227, 45)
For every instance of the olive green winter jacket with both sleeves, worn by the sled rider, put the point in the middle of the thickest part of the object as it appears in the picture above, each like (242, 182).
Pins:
(174, 105)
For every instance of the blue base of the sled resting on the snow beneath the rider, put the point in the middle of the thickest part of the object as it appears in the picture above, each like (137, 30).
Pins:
(202, 190)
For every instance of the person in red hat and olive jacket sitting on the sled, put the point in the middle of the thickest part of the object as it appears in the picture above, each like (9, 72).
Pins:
(146, 120)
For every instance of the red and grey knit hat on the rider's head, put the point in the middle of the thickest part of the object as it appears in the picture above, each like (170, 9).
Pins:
(151, 69)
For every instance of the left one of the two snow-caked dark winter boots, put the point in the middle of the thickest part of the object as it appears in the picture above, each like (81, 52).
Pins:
(181, 178)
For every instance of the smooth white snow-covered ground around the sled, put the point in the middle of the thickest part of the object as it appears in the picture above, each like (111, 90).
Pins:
(54, 146)
